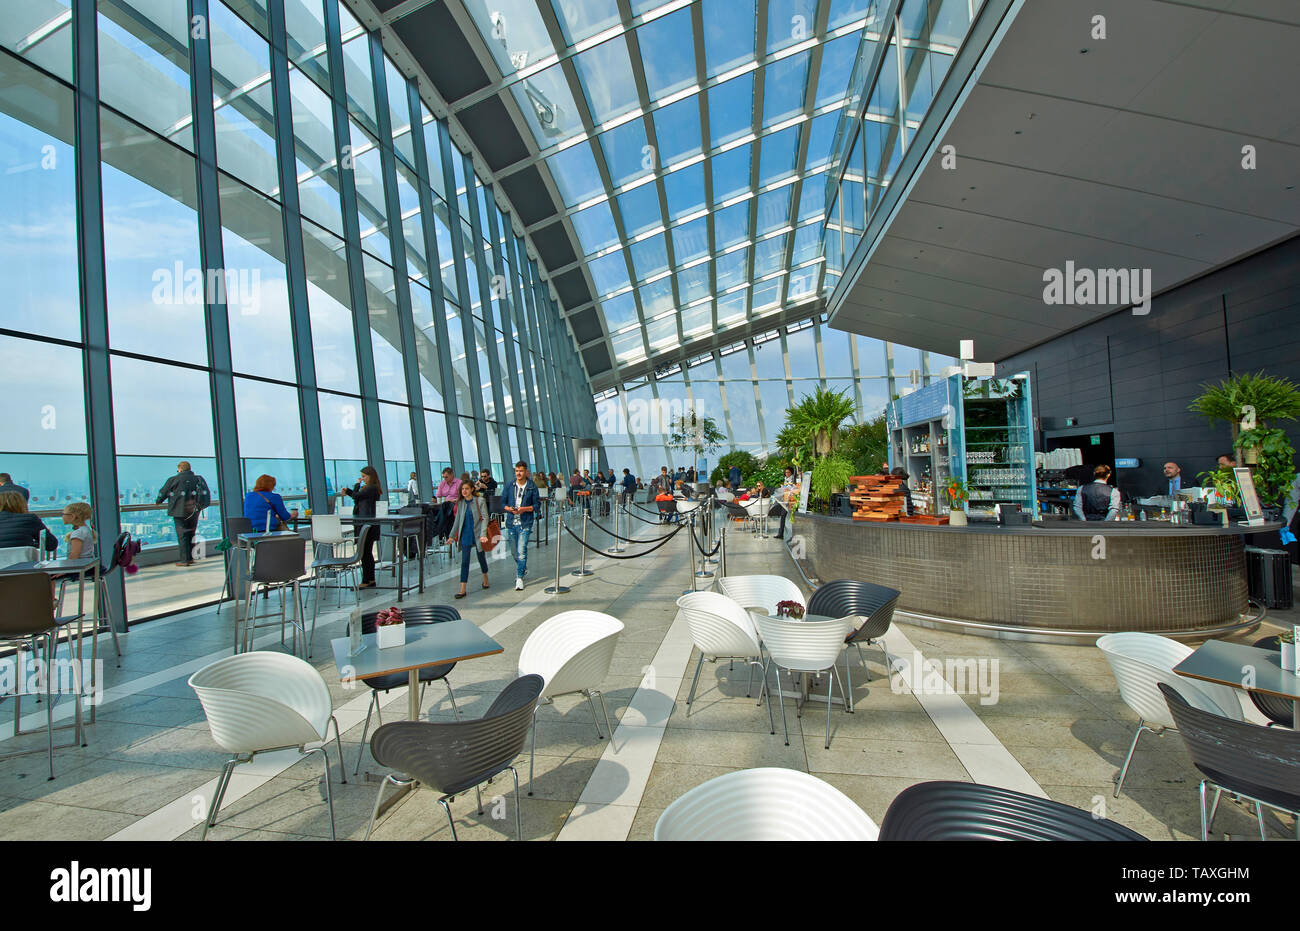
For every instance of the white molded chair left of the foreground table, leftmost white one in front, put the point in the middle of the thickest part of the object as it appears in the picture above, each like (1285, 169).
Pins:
(262, 702)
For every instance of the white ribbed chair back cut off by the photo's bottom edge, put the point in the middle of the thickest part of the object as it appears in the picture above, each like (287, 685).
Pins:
(765, 804)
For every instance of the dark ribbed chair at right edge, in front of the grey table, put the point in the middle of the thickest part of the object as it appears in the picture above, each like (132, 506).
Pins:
(1253, 763)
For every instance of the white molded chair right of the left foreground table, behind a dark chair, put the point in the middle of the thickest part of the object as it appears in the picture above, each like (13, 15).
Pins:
(573, 653)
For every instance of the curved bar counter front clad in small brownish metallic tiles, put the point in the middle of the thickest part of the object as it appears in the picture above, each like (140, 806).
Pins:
(1052, 581)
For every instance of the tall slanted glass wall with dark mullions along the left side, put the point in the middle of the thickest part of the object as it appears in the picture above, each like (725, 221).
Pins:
(278, 282)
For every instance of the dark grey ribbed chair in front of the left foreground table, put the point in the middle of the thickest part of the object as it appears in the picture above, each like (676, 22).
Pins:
(456, 757)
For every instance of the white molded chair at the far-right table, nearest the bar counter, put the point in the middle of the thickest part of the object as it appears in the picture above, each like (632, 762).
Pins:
(1141, 661)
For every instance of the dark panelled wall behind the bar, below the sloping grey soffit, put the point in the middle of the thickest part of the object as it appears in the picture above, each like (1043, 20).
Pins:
(1141, 374)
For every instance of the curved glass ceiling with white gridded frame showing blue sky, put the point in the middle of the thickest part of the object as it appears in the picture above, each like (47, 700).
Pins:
(690, 144)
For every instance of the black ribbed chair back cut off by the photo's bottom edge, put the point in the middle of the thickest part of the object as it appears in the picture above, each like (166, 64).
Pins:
(947, 811)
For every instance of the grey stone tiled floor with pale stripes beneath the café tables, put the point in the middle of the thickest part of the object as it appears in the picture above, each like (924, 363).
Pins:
(1058, 729)
